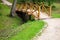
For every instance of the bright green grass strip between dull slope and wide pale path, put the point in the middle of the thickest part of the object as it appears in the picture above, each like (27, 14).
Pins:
(29, 32)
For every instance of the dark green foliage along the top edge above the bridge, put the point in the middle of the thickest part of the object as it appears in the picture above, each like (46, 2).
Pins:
(49, 2)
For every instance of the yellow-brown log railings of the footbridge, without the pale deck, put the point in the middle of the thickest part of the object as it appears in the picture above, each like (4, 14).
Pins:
(35, 7)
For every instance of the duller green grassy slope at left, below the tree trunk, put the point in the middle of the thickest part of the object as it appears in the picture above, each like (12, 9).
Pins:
(7, 24)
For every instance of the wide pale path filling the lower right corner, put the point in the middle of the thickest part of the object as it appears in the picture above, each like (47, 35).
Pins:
(52, 32)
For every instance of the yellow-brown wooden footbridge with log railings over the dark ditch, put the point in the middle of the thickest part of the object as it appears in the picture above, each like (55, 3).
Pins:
(34, 9)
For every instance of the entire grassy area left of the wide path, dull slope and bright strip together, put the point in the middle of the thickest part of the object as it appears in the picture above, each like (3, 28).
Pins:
(11, 28)
